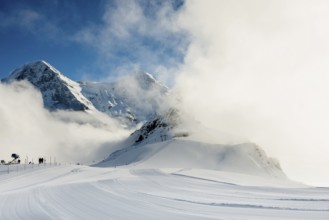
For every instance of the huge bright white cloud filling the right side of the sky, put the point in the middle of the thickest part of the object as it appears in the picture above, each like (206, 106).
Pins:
(259, 69)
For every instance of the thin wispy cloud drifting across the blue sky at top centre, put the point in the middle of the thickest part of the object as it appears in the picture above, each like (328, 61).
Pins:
(128, 39)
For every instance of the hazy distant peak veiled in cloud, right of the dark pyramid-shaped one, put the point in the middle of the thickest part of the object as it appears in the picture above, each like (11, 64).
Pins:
(134, 98)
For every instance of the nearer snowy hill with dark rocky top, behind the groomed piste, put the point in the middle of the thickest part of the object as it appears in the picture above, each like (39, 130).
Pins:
(161, 143)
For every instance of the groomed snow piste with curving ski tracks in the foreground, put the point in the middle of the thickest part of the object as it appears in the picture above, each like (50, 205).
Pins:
(79, 192)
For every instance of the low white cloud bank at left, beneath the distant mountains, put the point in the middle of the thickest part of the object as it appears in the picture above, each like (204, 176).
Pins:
(31, 131)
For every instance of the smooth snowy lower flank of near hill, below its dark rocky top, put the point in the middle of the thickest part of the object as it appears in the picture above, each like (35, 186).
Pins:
(245, 158)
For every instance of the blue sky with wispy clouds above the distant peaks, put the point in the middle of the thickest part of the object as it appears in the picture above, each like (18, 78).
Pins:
(91, 40)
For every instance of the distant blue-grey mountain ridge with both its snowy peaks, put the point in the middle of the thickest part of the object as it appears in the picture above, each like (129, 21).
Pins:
(132, 99)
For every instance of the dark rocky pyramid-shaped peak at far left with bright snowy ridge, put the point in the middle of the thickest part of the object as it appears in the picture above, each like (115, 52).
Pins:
(58, 91)
